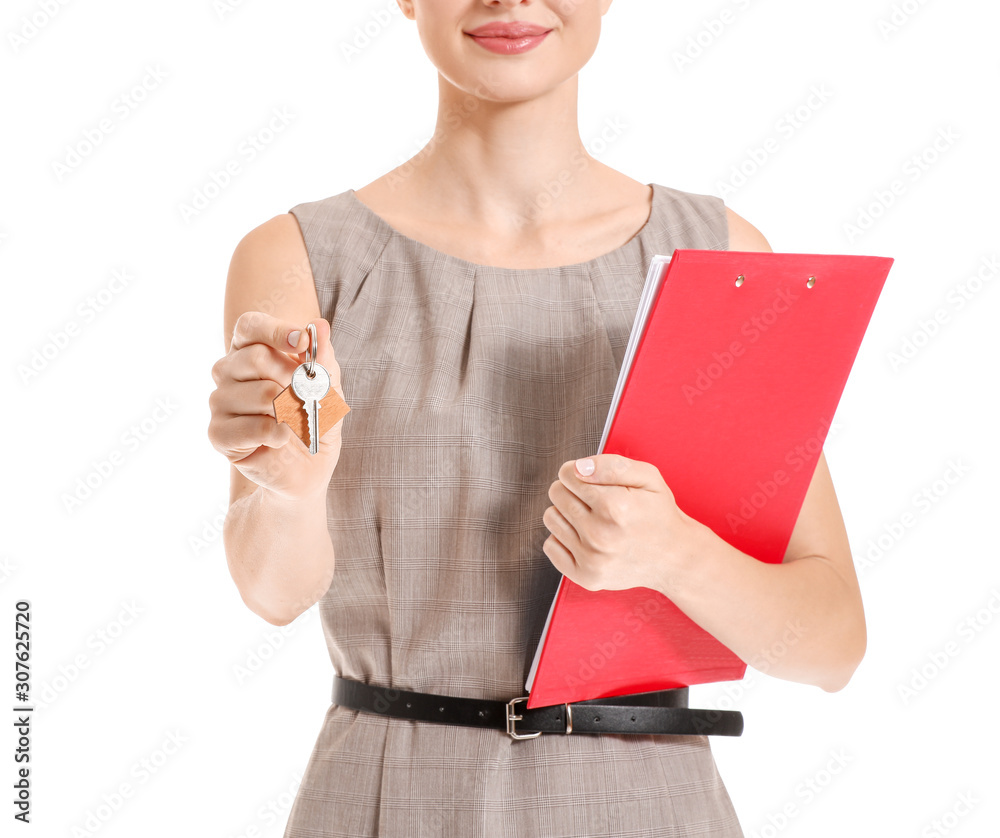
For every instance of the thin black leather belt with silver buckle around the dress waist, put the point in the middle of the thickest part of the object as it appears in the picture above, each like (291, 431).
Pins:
(658, 712)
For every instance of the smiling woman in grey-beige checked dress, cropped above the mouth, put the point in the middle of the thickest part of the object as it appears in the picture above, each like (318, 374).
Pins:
(480, 298)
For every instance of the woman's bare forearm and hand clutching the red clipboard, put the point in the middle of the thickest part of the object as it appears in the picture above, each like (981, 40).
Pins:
(801, 619)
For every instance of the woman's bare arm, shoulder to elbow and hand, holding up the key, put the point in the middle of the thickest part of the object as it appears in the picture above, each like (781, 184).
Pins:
(276, 538)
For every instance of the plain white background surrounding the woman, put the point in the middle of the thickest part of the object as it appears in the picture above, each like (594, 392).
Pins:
(139, 634)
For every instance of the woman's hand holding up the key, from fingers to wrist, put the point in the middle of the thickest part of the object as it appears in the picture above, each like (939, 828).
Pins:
(258, 367)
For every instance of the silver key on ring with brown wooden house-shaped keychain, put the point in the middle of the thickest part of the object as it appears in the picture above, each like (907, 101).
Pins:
(299, 404)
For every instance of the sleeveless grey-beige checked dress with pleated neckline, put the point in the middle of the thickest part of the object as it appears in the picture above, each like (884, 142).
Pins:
(469, 387)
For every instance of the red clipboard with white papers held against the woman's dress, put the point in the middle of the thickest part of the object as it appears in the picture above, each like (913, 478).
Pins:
(729, 387)
